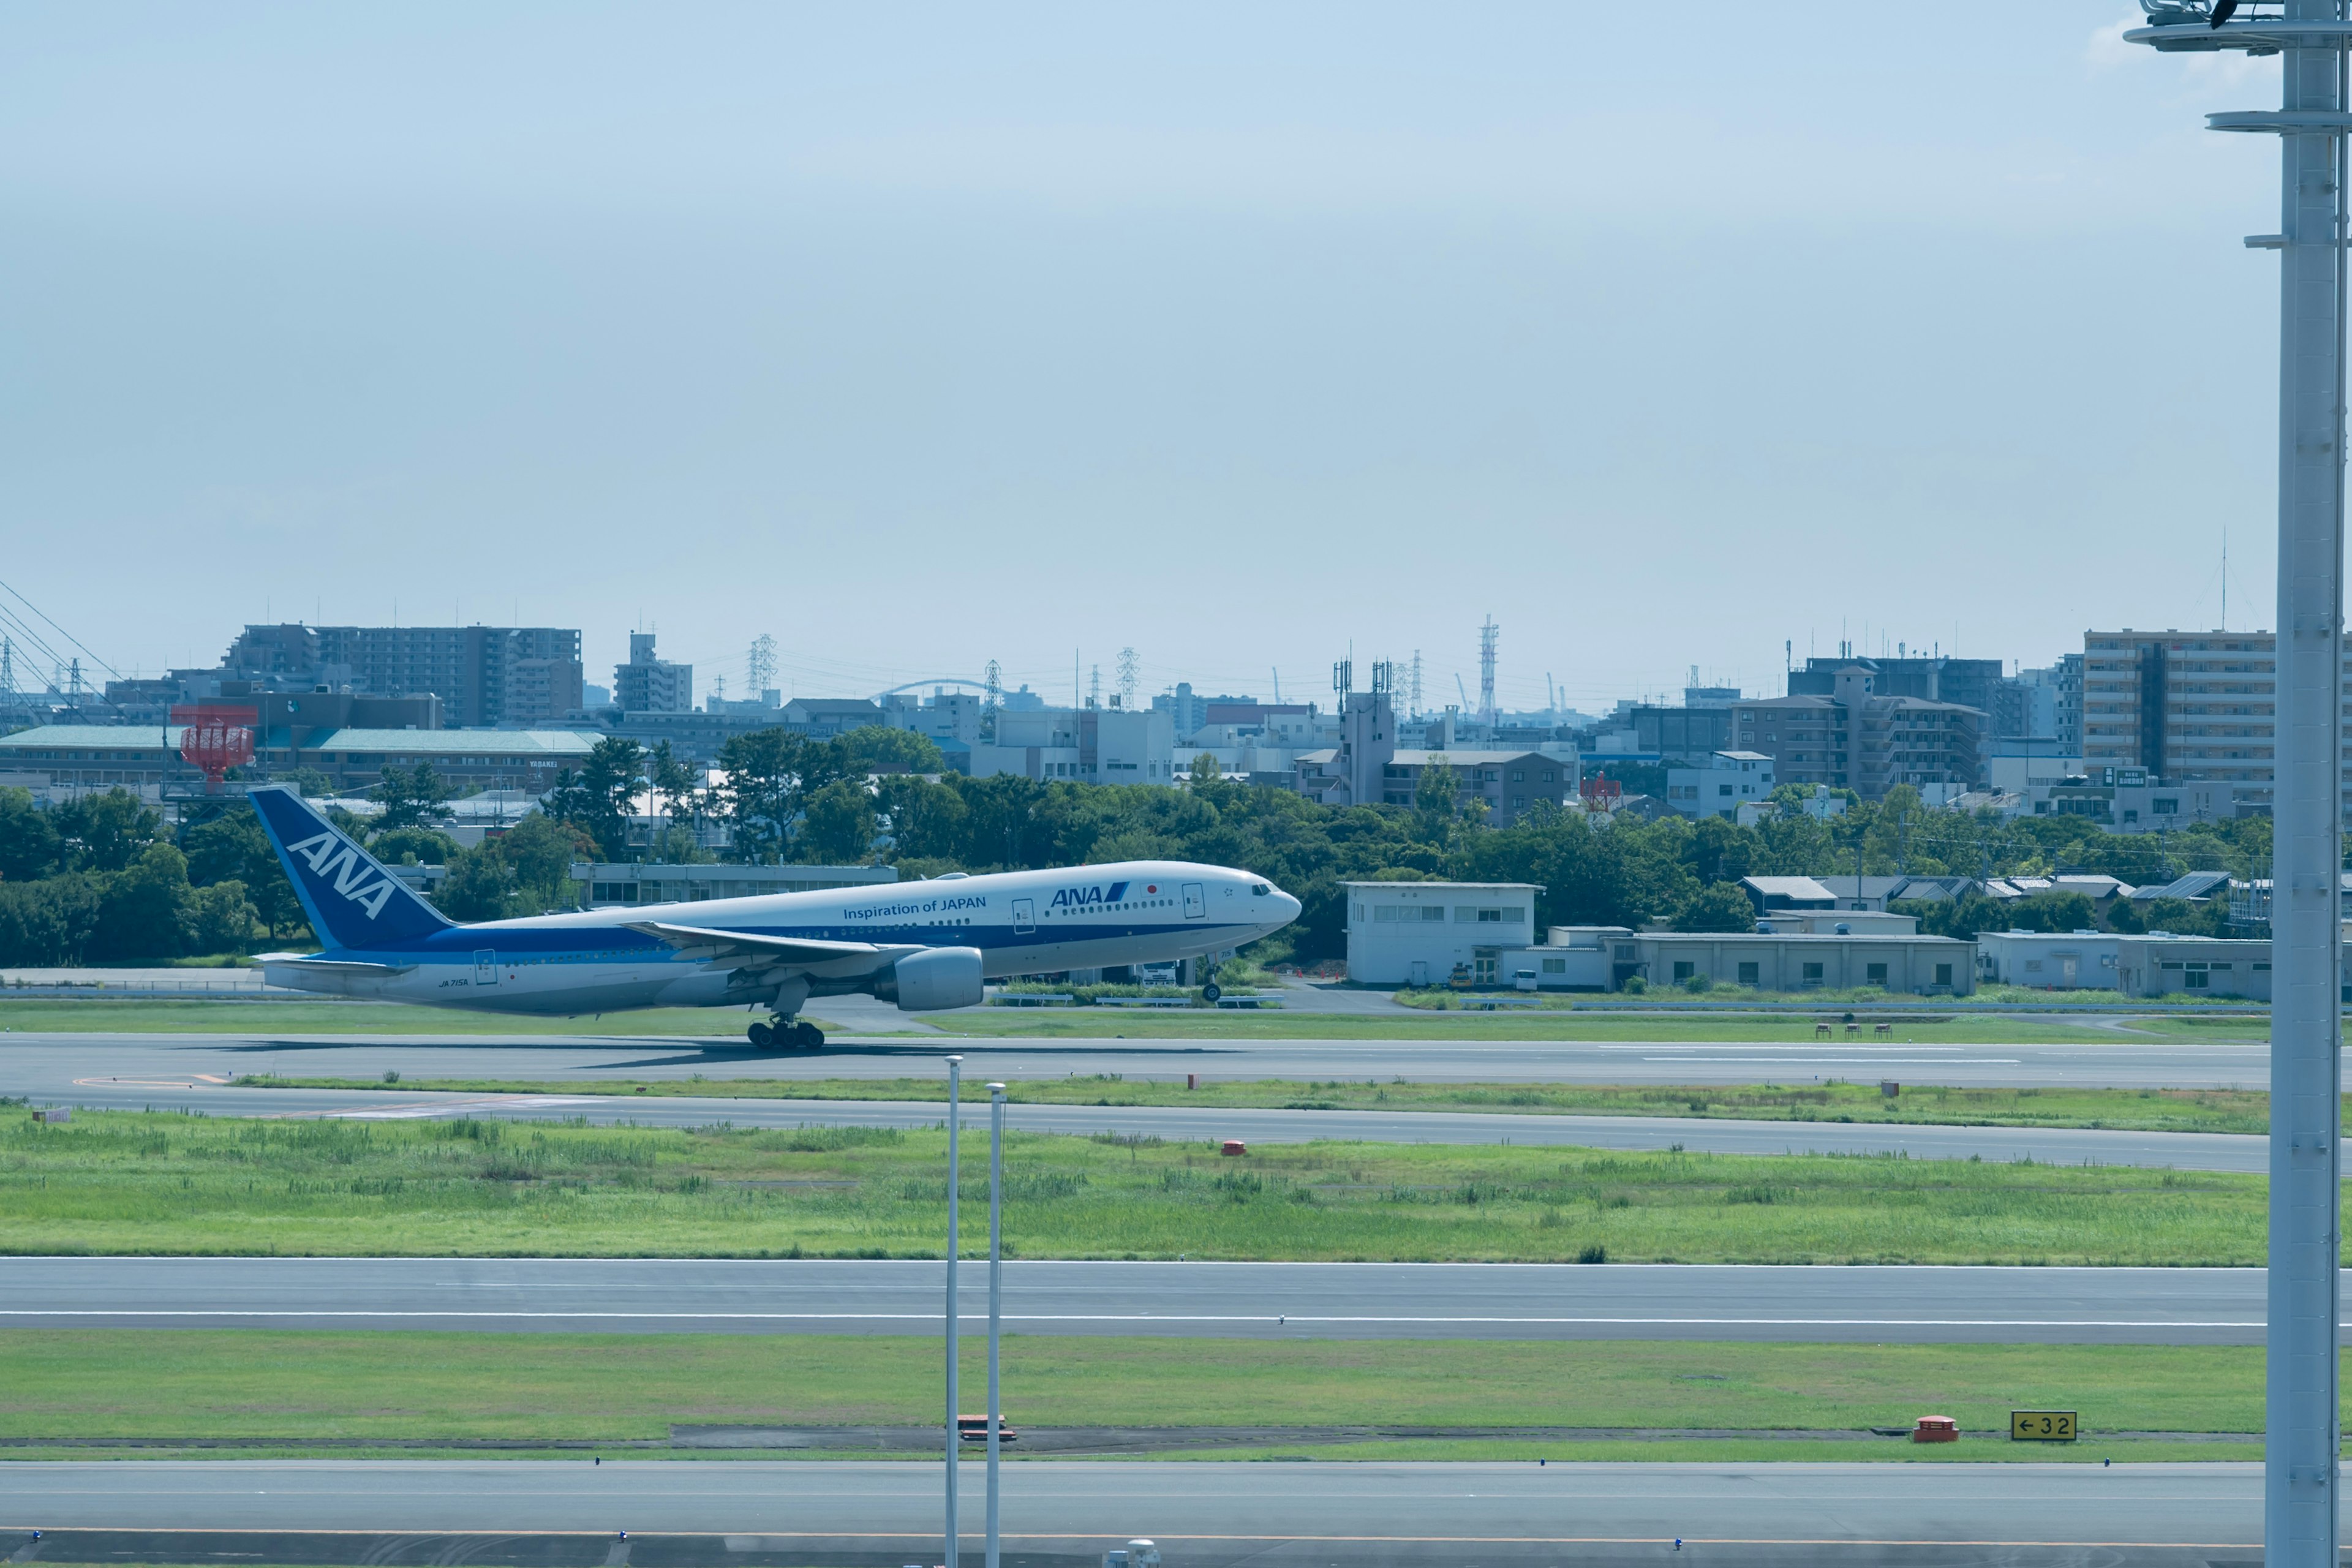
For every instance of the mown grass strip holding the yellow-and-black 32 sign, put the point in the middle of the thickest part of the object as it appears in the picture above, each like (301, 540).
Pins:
(361, 1388)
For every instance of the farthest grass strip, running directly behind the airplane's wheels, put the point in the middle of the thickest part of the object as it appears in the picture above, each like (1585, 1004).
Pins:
(326, 1019)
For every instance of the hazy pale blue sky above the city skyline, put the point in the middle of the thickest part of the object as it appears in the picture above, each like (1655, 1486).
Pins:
(1231, 333)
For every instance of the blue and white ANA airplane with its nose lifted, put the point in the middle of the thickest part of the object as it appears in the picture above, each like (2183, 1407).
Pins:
(918, 944)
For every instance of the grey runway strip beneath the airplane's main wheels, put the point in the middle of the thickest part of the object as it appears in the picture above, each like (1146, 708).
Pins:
(51, 1064)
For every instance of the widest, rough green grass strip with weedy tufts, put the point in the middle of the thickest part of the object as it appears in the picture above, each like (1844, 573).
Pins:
(175, 1184)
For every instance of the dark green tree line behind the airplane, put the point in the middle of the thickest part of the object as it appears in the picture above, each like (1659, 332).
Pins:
(100, 878)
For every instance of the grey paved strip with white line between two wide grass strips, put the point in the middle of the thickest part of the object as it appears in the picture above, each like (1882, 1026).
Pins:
(1267, 1301)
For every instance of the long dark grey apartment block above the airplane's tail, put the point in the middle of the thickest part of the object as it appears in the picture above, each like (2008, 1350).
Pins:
(486, 676)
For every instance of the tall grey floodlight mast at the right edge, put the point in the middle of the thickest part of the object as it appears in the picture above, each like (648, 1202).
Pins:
(2306, 1040)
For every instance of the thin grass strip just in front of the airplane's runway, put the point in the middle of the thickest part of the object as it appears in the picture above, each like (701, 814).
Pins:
(2153, 1111)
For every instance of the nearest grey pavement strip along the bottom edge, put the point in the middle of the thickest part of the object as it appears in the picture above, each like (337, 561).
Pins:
(1201, 1513)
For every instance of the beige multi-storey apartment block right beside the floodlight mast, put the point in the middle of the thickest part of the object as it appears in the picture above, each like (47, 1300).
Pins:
(2186, 709)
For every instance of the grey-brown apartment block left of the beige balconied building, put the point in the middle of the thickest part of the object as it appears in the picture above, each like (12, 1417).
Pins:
(1864, 742)
